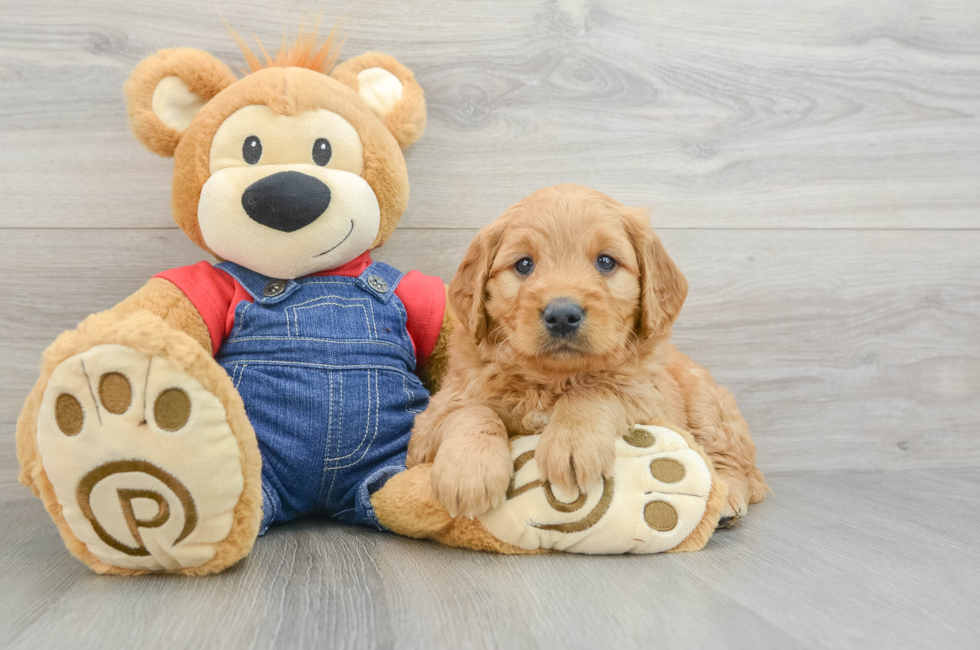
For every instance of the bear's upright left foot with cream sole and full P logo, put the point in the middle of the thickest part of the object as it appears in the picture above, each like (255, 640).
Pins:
(141, 468)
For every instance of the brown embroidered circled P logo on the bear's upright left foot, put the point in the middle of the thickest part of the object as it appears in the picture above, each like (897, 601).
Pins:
(128, 509)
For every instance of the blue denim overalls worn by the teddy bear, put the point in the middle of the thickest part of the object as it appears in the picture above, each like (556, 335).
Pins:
(325, 367)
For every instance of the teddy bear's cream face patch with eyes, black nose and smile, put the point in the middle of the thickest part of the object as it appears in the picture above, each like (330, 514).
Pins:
(285, 197)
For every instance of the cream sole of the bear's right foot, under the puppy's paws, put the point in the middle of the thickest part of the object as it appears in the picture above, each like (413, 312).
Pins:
(662, 495)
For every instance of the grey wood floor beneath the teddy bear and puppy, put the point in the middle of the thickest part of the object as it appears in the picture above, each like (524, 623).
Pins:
(837, 572)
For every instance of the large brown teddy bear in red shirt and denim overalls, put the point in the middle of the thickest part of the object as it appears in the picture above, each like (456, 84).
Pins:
(167, 433)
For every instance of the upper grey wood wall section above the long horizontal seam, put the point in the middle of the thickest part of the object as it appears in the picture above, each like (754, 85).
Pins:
(753, 114)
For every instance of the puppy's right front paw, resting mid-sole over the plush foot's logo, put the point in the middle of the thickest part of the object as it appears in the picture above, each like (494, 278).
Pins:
(573, 463)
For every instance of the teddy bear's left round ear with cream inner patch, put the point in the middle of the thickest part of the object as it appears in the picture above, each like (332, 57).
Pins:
(167, 89)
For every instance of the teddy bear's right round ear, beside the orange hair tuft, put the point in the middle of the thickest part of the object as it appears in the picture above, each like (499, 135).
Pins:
(390, 90)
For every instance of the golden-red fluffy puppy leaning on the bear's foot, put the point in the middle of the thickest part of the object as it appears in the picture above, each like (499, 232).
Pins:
(565, 306)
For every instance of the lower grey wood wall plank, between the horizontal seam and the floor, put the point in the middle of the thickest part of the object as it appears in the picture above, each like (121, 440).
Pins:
(845, 349)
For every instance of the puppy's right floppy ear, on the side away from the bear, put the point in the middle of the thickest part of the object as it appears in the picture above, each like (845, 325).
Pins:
(663, 287)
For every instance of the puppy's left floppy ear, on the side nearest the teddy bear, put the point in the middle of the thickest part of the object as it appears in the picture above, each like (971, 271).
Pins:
(467, 290)
